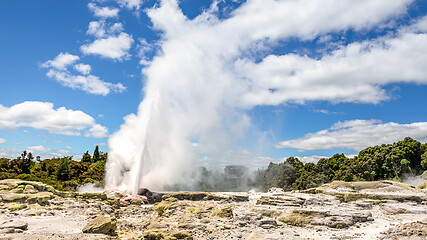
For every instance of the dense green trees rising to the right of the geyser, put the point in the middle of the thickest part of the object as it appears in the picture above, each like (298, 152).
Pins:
(388, 161)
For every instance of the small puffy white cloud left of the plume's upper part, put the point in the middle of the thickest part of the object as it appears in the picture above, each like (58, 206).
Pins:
(114, 47)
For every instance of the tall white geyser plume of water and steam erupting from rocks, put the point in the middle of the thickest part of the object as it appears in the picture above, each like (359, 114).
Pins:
(190, 96)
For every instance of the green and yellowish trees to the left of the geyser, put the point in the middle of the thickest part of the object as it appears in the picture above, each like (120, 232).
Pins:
(63, 173)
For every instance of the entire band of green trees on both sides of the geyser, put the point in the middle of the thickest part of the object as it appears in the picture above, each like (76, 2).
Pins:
(391, 161)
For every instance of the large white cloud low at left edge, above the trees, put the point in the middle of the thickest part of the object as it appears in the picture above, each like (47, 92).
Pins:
(42, 115)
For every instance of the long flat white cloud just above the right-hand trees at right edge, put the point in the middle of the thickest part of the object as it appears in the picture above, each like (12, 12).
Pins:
(357, 135)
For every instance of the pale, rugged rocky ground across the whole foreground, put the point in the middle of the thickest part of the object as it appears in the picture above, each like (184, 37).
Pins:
(340, 210)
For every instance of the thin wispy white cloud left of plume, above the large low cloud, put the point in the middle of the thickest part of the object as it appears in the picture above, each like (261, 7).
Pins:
(89, 83)
